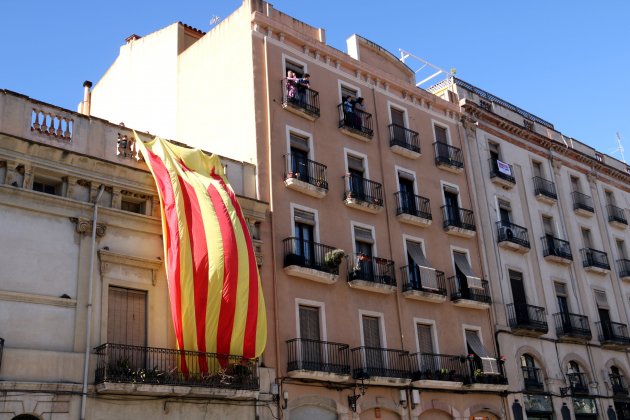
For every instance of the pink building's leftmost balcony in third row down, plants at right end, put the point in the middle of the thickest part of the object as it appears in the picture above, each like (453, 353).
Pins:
(310, 260)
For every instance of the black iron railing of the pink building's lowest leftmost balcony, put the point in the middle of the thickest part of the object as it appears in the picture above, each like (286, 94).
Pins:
(318, 356)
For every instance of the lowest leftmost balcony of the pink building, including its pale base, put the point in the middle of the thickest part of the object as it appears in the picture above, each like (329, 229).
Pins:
(318, 360)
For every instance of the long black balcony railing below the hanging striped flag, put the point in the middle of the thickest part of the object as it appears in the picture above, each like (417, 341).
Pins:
(134, 364)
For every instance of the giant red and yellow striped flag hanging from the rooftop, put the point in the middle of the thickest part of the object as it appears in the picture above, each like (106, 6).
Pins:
(215, 293)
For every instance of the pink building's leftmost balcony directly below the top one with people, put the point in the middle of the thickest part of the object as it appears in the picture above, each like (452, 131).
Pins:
(306, 176)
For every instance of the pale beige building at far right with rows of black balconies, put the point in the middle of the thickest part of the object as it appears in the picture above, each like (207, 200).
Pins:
(554, 226)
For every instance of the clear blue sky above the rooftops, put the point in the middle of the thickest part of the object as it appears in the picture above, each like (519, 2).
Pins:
(564, 61)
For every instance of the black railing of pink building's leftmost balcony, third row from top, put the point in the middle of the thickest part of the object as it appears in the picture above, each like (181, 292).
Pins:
(308, 254)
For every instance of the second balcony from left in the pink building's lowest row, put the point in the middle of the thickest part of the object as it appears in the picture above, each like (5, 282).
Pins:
(381, 366)
